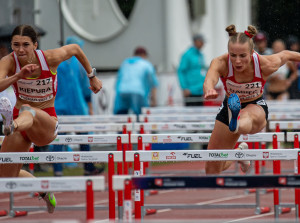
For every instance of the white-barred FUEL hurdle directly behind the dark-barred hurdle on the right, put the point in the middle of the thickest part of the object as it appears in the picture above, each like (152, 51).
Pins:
(215, 155)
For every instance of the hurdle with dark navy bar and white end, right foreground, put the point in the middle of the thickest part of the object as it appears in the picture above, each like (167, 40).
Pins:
(221, 182)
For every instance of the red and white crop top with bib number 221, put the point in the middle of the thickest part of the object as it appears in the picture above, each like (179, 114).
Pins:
(245, 91)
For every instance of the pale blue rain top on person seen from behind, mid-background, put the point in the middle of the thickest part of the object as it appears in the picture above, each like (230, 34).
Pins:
(136, 75)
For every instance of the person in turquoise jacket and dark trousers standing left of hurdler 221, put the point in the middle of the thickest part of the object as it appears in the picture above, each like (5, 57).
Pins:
(191, 72)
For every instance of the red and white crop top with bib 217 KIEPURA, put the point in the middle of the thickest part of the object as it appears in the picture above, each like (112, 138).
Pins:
(40, 89)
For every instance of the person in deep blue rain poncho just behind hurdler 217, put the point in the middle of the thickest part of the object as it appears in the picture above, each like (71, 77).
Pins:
(73, 98)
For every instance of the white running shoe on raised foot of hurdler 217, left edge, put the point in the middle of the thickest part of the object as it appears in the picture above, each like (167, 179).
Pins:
(6, 111)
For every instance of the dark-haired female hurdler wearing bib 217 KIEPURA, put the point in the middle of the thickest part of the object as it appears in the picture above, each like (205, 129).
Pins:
(32, 73)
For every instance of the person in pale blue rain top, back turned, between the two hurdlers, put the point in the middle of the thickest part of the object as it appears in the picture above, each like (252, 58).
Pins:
(136, 81)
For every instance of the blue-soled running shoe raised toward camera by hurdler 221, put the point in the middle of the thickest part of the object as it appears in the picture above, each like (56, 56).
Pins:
(234, 108)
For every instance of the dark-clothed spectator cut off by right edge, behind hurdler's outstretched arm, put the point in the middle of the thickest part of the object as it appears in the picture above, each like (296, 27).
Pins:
(294, 89)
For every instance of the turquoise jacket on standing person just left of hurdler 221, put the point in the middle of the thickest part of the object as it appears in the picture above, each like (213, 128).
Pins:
(192, 70)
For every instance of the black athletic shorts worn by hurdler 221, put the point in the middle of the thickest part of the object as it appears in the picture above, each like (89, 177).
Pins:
(222, 115)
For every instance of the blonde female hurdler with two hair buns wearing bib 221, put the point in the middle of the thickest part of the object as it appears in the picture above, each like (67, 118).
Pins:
(244, 111)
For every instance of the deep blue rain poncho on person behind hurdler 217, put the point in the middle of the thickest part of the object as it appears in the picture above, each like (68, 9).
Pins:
(73, 91)
